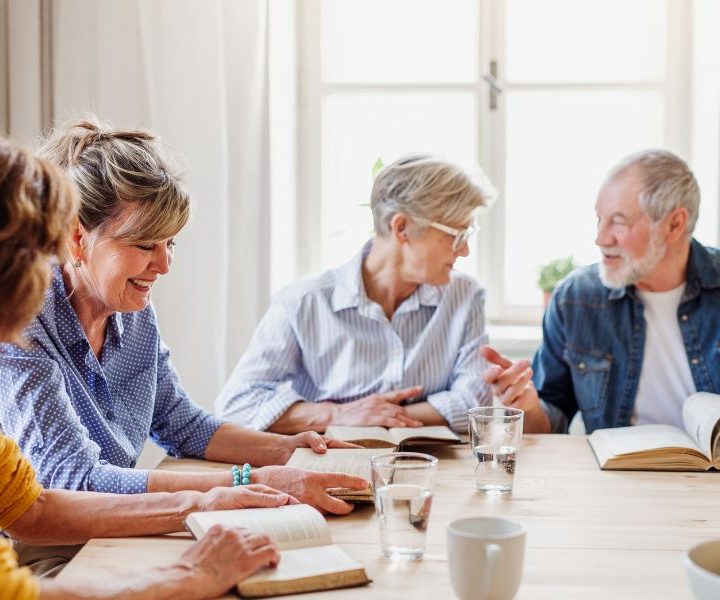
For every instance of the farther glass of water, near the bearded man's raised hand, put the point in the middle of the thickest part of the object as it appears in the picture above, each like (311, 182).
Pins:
(495, 434)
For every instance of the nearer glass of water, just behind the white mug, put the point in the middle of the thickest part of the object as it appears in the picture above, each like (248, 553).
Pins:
(403, 484)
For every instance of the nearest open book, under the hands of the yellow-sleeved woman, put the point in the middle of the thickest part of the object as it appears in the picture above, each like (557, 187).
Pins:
(308, 559)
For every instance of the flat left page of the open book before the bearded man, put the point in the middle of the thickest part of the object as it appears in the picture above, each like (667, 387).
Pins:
(641, 438)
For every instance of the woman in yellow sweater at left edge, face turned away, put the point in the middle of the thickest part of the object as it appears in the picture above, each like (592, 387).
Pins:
(37, 207)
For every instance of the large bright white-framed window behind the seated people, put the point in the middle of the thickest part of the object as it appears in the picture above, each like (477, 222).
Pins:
(582, 84)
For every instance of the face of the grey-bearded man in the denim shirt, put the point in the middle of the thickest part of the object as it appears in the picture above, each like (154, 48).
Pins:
(630, 243)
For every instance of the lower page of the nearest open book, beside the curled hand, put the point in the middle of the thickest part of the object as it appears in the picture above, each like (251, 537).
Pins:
(306, 562)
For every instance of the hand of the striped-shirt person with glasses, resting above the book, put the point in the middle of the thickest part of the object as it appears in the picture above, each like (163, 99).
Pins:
(381, 409)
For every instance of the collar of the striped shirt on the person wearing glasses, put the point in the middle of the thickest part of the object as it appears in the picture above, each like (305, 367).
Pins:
(349, 291)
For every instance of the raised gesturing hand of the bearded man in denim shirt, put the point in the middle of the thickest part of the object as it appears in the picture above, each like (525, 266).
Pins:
(512, 384)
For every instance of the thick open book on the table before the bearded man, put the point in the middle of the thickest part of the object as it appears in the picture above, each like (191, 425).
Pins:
(664, 447)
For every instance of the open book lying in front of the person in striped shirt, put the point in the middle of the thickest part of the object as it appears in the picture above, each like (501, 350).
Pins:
(381, 437)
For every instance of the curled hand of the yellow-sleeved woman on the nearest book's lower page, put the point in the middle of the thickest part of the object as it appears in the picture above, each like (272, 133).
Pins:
(223, 557)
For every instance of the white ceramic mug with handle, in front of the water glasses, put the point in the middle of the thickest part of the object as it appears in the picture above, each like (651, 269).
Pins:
(485, 557)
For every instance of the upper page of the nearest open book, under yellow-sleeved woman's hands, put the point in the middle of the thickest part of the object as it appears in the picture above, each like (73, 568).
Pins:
(292, 526)
